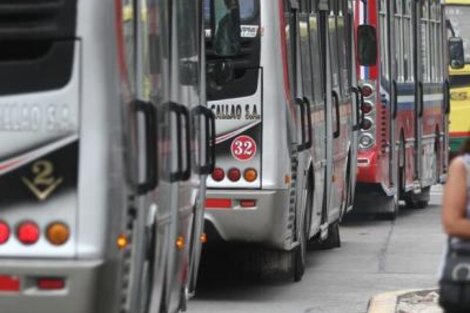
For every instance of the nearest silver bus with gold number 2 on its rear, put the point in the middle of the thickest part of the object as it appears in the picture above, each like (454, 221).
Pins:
(105, 146)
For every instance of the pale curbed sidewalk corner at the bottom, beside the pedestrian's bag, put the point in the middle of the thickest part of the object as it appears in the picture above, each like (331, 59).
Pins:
(406, 301)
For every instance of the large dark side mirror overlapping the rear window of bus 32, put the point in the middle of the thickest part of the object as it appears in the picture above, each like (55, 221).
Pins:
(226, 27)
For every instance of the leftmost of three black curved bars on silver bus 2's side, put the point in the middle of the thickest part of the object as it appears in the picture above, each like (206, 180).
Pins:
(151, 137)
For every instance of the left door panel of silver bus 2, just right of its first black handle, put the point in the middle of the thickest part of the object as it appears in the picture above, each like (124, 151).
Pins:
(152, 77)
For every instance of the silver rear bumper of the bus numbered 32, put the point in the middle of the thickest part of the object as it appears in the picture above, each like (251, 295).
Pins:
(264, 223)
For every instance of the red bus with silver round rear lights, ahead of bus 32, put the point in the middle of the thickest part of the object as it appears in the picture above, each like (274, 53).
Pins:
(403, 76)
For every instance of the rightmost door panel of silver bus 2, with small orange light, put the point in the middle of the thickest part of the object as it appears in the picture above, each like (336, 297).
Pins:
(186, 84)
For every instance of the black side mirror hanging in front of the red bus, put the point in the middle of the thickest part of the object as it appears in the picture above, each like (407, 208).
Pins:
(367, 45)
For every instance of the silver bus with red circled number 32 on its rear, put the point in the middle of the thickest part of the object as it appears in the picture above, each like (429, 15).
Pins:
(286, 109)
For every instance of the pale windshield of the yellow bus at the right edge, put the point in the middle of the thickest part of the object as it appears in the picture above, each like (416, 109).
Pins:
(459, 18)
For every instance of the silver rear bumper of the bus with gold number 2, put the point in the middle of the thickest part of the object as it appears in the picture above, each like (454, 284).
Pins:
(79, 294)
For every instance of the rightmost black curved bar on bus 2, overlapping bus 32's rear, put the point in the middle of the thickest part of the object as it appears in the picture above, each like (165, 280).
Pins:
(208, 166)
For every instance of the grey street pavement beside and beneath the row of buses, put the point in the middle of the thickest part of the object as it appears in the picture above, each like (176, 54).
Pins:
(376, 256)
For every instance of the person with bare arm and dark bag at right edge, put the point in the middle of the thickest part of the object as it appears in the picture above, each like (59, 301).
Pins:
(455, 276)
